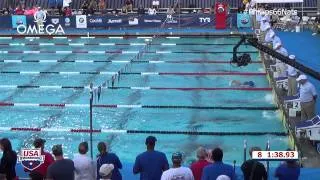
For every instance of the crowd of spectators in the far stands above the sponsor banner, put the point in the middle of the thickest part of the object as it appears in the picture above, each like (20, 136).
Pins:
(90, 7)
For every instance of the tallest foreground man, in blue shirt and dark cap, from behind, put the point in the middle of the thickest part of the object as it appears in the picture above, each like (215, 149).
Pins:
(151, 163)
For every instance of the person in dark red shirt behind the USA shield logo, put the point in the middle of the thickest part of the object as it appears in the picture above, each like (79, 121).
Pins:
(41, 171)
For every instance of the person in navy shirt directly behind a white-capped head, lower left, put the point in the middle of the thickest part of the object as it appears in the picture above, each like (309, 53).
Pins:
(106, 157)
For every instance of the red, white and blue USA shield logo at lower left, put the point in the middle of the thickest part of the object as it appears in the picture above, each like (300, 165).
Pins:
(31, 158)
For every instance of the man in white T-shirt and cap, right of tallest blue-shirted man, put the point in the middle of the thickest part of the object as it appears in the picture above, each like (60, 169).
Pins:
(177, 172)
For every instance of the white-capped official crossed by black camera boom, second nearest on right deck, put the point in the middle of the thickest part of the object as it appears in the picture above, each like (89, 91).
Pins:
(292, 78)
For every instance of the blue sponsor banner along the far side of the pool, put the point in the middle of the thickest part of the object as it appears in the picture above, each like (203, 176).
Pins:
(120, 21)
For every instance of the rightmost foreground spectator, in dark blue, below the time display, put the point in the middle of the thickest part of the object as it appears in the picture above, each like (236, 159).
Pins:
(289, 170)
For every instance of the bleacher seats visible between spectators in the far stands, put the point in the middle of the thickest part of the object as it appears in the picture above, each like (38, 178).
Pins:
(112, 4)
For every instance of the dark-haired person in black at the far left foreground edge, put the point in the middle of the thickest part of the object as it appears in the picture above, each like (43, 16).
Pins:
(9, 160)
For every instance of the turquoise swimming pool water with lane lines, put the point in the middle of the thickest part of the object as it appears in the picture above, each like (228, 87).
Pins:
(177, 85)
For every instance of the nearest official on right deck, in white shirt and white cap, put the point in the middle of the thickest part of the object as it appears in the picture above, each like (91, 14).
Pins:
(308, 97)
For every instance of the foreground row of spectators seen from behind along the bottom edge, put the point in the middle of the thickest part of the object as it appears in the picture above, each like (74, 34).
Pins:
(151, 165)
